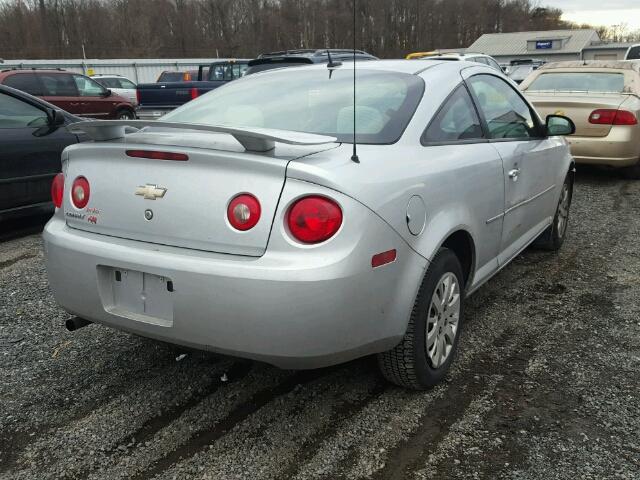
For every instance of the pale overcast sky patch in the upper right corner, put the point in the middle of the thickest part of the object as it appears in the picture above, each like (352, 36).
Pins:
(594, 11)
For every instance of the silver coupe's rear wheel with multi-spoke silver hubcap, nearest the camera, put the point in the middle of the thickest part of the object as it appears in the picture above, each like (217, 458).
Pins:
(424, 355)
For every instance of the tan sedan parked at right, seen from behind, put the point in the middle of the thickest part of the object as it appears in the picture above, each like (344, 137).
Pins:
(603, 100)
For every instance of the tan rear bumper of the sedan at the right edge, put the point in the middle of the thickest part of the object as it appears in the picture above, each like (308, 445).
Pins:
(621, 148)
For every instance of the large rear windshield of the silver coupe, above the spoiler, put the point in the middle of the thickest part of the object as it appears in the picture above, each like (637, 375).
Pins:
(313, 101)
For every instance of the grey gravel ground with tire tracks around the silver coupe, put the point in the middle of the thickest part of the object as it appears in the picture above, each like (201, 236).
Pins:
(546, 384)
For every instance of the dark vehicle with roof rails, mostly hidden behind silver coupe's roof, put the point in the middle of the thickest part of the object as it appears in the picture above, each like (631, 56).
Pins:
(296, 58)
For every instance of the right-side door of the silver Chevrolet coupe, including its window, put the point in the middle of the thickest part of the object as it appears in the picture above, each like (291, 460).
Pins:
(528, 156)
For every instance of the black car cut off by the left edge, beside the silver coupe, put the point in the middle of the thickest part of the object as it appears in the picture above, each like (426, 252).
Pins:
(32, 137)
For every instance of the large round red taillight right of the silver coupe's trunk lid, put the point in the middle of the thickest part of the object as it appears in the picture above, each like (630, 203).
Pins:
(314, 219)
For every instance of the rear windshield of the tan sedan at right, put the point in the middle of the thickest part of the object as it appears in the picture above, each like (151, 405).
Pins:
(579, 82)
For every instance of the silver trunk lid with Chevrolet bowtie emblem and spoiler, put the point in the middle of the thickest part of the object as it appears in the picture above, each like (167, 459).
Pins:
(177, 202)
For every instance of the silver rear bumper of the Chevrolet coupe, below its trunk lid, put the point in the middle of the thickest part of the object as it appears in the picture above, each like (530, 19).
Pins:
(295, 312)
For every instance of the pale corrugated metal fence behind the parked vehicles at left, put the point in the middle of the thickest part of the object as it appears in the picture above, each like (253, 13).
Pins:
(138, 70)
